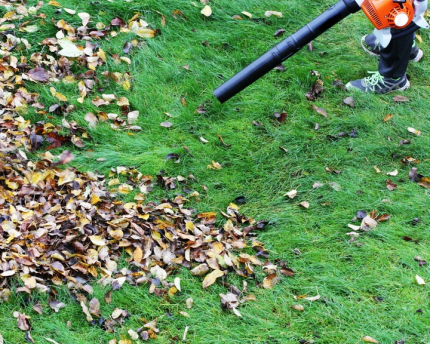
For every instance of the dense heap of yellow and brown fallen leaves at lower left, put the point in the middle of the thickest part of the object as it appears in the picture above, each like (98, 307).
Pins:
(64, 227)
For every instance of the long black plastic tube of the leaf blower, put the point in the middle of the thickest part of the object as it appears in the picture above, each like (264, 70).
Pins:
(285, 49)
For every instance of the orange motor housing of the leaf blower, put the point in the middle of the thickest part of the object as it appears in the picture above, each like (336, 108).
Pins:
(389, 13)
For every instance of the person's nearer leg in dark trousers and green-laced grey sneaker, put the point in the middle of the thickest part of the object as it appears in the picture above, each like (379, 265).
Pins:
(393, 62)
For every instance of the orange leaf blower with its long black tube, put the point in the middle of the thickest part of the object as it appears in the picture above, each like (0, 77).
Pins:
(383, 14)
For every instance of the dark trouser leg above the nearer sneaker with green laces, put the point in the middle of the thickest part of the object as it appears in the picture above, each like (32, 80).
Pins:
(394, 58)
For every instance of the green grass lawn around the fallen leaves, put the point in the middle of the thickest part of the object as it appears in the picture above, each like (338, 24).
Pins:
(367, 289)
